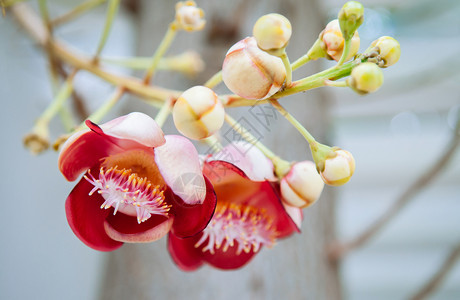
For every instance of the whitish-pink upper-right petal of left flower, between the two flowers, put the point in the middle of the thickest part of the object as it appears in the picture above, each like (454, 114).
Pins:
(179, 165)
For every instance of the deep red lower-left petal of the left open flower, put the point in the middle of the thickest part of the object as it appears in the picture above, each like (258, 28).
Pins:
(86, 218)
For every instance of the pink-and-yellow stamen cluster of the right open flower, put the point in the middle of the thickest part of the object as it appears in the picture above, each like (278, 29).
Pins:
(244, 227)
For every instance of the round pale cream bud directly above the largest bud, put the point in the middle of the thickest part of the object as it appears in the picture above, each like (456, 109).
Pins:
(272, 31)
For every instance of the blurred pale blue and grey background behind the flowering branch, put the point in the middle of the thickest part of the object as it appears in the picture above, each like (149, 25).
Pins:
(395, 135)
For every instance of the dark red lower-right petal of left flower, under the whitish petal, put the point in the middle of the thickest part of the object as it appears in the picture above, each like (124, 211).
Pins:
(192, 219)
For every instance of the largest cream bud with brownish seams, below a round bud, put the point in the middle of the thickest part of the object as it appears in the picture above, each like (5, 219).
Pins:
(252, 73)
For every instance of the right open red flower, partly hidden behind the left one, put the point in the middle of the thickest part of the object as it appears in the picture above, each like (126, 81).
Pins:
(249, 213)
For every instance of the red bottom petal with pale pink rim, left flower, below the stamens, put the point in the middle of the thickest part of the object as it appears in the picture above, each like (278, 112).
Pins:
(129, 231)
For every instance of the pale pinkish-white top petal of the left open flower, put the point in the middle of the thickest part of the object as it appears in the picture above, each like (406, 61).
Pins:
(137, 127)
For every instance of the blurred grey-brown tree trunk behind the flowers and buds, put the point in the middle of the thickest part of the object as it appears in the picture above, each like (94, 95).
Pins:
(297, 267)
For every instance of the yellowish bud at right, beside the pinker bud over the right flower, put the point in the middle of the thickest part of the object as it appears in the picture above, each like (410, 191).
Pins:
(338, 169)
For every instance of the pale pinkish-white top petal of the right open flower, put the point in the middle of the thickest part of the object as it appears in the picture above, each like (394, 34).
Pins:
(249, 159)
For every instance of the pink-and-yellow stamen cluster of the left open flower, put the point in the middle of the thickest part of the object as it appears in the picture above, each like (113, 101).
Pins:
(125, 190)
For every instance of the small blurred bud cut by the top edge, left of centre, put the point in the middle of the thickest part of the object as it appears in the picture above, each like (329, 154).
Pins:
(189, 17)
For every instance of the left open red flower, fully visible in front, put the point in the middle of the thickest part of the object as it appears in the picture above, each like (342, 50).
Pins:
(134, 188)
